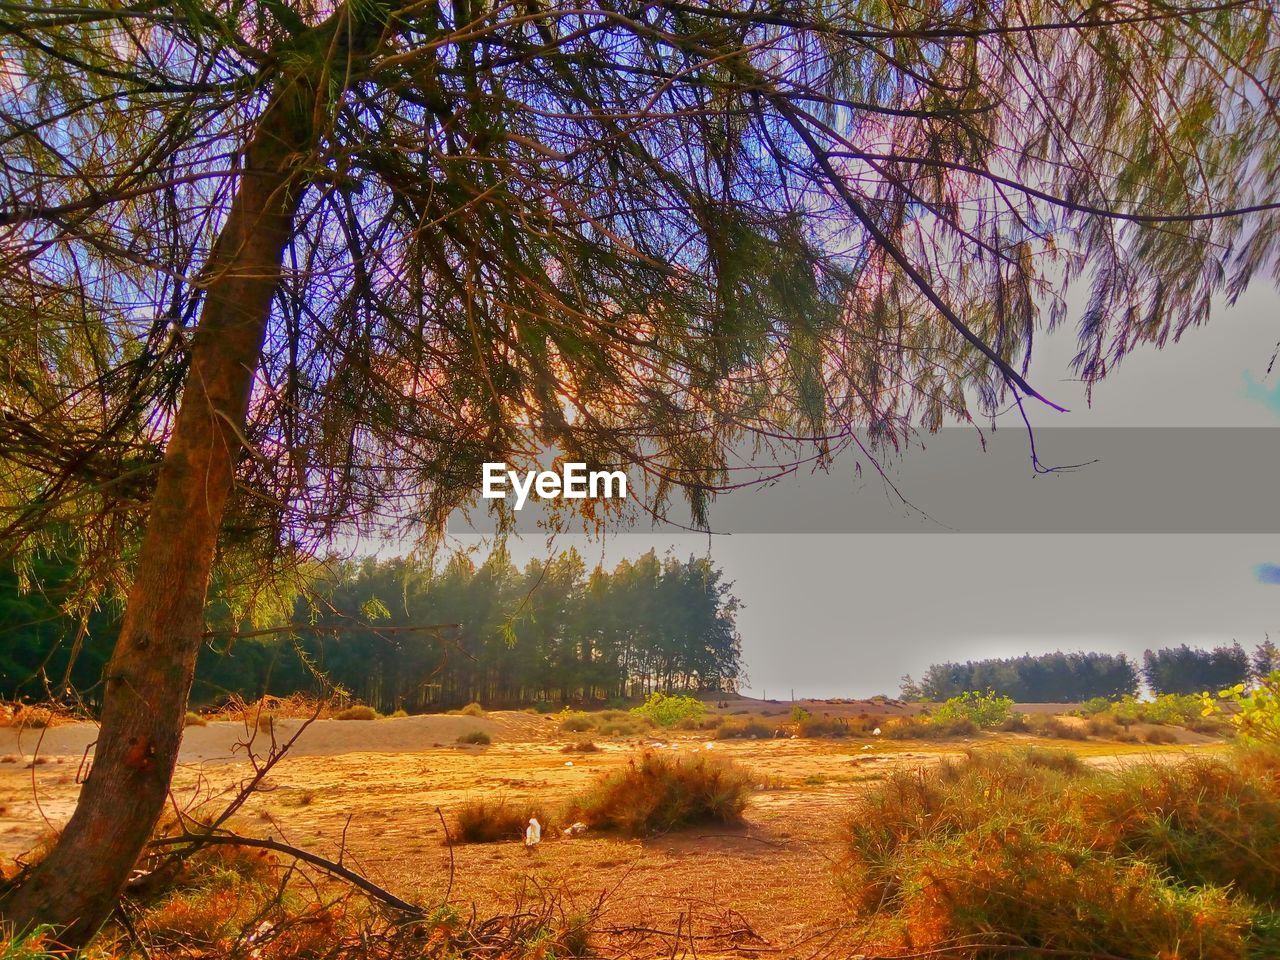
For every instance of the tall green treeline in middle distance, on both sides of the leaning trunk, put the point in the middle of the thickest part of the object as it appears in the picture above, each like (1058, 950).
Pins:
(551, 632)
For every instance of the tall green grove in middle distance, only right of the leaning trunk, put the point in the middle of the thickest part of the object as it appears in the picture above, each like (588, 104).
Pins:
(580, 634)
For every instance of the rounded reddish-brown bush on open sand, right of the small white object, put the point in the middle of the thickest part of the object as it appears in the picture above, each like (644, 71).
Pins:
(660, 792)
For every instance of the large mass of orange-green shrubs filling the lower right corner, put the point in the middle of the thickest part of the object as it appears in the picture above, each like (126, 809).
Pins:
(1037, 848)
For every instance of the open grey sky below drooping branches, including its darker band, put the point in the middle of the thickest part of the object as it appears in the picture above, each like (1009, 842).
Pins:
(1169, 538)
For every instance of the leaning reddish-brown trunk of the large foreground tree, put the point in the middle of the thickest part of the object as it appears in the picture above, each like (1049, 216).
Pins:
(150, 674)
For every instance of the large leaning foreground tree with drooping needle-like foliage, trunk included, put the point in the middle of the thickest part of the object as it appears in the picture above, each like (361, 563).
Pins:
(276, 271)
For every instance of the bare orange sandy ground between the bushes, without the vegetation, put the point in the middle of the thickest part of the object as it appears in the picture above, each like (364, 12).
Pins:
(374, 792)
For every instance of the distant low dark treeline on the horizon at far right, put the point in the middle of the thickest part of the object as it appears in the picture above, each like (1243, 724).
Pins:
(1073, 678)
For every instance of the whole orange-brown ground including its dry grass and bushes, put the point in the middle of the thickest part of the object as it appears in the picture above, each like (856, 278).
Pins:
(770, 874)
